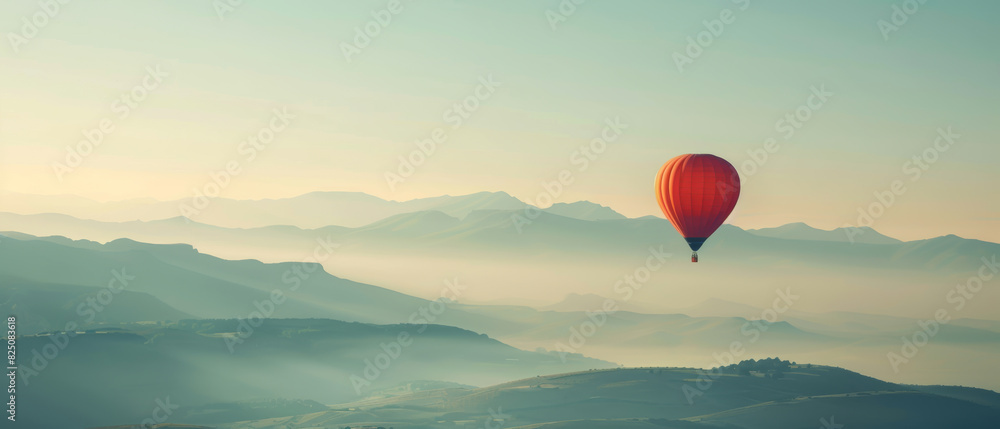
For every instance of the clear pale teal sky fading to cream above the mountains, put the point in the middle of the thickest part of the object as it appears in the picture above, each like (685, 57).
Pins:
(544, 79)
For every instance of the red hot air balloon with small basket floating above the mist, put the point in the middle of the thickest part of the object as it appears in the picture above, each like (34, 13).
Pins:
(697, 192)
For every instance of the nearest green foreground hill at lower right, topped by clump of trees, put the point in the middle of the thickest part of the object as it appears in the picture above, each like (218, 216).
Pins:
(667, 398)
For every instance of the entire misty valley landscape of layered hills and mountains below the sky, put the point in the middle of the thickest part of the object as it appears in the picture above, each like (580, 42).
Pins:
(240, 343)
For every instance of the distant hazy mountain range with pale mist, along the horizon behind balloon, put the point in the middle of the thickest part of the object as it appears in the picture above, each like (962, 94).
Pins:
(545, 260)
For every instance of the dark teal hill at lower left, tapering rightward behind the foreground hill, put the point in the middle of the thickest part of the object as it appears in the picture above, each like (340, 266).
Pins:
(197, 363)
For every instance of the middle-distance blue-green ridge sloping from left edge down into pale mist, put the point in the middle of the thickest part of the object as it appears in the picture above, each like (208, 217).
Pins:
(50, 281)
